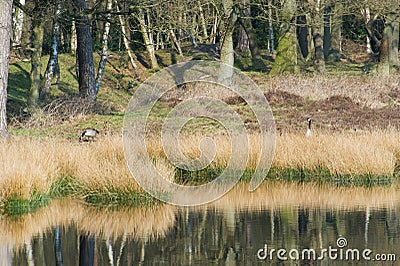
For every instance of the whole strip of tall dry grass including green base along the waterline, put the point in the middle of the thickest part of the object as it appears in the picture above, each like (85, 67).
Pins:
(36, 170)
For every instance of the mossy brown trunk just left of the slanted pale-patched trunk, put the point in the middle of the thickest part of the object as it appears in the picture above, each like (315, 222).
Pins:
(36, 62)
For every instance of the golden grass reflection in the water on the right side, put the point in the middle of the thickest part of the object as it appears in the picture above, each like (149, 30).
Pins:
(278, 194)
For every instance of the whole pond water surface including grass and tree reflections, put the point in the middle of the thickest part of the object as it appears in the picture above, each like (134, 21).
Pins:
(237, 230)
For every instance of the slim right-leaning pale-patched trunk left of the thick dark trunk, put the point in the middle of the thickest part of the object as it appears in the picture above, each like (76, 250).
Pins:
(53, 59)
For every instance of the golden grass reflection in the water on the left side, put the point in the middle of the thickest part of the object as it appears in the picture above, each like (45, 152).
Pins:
(136, 223)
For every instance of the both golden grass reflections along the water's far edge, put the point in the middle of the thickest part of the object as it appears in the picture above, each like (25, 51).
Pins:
(156, 221)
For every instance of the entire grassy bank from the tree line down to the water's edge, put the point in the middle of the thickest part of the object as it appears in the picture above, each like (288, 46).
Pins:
(44, 160)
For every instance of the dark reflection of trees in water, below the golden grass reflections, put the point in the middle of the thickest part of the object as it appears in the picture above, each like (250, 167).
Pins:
(211, 235)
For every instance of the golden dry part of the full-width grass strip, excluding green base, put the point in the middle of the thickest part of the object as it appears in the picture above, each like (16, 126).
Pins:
(30, 166)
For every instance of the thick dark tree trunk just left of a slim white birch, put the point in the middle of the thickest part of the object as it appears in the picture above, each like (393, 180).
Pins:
(86, 78)
